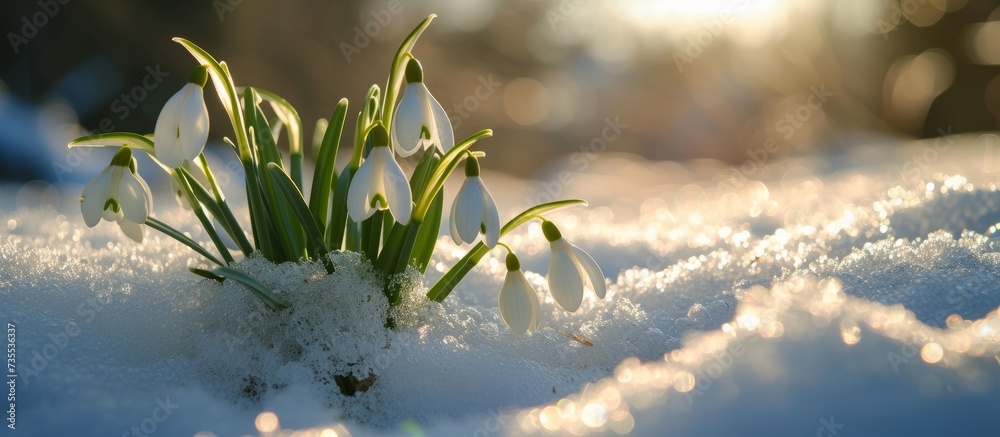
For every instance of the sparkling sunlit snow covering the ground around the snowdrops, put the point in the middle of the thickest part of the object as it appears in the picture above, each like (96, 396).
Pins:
(848, 293)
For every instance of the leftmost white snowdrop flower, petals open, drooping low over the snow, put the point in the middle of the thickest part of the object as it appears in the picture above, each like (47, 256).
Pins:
(118, 194)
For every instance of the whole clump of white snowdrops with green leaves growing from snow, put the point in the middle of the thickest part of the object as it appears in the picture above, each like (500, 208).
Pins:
(370, 206)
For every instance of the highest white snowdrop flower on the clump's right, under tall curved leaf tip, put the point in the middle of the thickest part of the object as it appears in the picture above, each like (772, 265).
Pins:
(420, 120)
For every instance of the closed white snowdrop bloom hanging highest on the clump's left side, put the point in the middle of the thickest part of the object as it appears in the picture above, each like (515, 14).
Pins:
(182, 127)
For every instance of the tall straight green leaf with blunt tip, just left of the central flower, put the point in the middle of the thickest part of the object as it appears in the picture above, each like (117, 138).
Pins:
(326, 161)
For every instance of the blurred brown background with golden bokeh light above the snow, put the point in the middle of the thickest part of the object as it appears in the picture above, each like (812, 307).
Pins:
(732, 80)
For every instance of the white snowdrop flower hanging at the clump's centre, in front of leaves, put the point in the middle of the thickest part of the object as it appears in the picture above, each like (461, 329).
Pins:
(379, 183)
